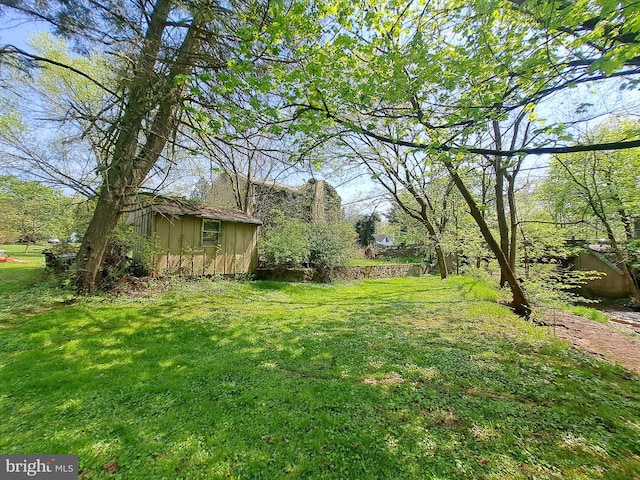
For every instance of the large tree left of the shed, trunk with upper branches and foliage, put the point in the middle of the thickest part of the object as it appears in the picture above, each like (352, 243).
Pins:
(158, 45)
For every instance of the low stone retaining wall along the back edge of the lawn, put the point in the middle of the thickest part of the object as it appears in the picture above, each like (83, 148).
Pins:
(341, 273)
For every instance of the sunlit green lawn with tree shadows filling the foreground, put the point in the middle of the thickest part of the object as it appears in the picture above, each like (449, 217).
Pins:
(389, 379)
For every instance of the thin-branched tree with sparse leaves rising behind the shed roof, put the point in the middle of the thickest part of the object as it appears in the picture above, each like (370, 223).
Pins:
(246, 151)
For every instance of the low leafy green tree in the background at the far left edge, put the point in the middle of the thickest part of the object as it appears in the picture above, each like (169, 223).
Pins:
(31, 210)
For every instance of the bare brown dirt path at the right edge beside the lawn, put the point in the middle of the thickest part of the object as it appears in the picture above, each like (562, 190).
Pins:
(611, 341)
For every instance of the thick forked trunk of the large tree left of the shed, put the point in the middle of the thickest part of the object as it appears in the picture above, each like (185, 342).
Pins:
(132, 161)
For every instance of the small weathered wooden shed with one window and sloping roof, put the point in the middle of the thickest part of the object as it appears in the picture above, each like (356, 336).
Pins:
(195, 239)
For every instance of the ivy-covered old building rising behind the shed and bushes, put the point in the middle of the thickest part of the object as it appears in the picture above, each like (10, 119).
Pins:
(314, 201)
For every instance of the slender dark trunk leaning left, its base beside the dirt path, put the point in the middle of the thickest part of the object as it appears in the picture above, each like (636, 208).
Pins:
(520, 303)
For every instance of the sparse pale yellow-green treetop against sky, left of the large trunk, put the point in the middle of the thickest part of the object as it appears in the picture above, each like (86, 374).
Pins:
(46, 96)
